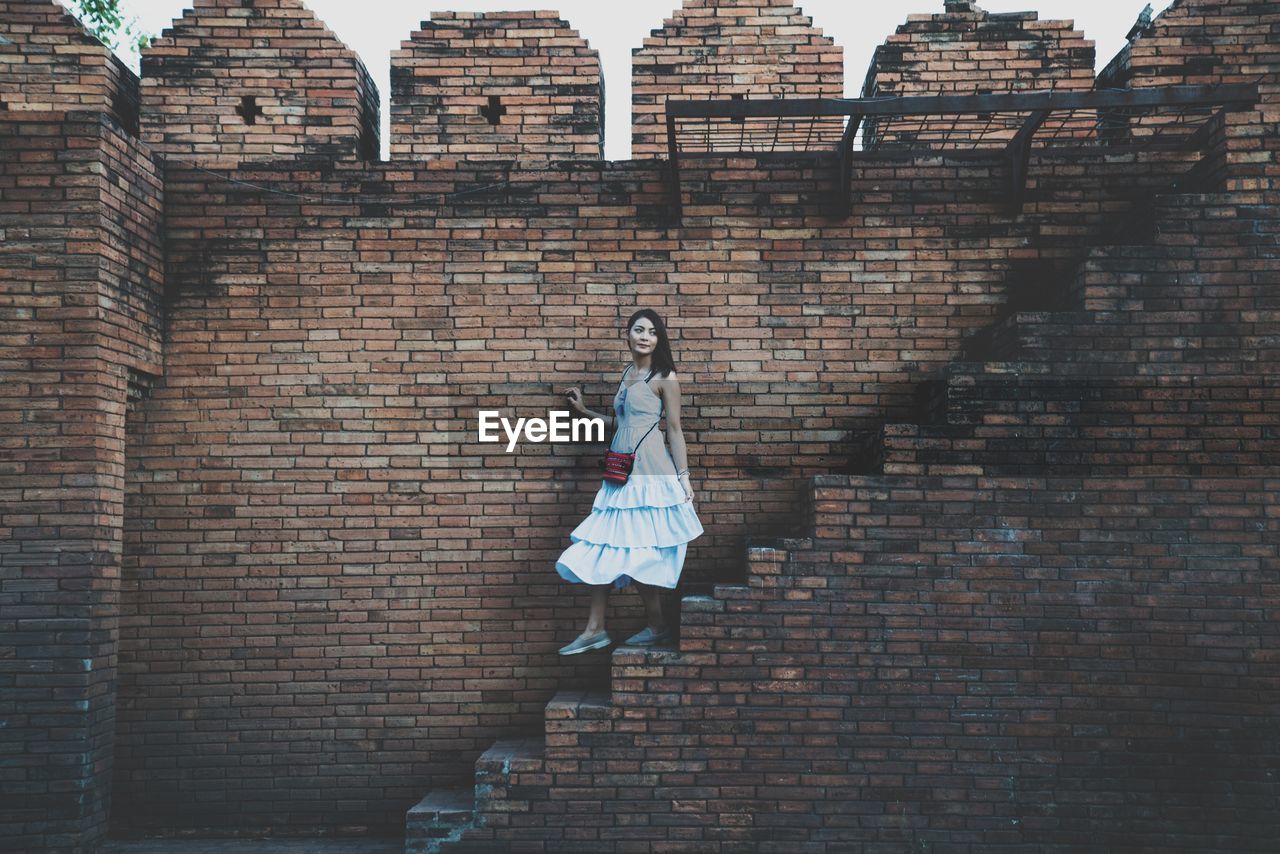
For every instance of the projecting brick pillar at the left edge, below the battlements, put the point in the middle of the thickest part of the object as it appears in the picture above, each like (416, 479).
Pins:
(80, 248)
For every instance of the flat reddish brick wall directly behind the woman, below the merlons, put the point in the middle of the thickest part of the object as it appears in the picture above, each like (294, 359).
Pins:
(310, 495)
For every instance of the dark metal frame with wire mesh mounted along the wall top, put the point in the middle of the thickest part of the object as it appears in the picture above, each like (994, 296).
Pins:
(1035, 108)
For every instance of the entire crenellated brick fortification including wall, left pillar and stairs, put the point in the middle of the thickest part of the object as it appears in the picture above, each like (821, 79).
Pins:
(1016, 474)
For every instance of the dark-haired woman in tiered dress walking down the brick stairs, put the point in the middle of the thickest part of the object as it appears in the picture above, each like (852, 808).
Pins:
(639, 531)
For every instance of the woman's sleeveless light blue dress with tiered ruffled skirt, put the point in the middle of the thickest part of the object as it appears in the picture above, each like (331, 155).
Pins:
(642, 529)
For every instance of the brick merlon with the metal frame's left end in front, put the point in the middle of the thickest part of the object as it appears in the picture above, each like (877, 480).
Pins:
(721, 49)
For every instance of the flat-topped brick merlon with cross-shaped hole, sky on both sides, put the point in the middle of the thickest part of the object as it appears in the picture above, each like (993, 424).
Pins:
(500, 85)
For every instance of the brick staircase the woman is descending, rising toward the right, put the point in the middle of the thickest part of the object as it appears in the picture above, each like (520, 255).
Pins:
(980, 611)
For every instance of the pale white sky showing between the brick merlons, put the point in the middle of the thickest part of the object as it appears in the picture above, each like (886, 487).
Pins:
(374, 29)
